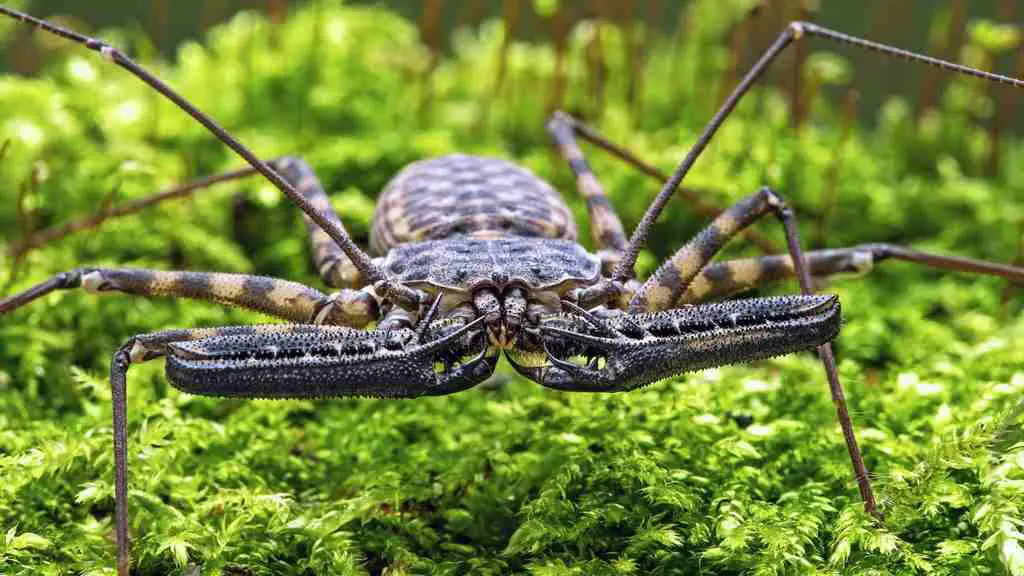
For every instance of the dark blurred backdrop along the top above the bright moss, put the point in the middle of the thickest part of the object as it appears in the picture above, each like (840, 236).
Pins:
(938, 27)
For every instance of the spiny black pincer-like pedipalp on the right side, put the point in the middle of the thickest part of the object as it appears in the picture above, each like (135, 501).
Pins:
(667, 344)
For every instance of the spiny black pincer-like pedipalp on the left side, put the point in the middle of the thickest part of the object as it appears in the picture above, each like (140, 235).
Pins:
(318, 362)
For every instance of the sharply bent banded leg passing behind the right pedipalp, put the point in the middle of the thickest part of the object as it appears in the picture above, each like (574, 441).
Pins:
(670, 282)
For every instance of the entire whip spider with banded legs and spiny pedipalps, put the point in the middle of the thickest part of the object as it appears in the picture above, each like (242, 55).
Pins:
(478, 257)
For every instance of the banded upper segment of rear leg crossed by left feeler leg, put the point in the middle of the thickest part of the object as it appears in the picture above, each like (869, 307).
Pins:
(333, 266)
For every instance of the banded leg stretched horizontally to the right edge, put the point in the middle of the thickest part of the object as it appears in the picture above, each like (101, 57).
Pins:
(720, 280)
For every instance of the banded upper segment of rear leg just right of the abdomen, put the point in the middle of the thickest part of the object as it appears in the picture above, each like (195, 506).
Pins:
(605, 225)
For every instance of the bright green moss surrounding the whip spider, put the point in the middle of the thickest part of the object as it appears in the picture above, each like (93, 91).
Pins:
(736, 471)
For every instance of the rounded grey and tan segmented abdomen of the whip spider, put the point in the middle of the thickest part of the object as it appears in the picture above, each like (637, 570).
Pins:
(472, 196)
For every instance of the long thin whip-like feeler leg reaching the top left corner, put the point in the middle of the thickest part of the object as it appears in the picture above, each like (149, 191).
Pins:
(373, 274)
